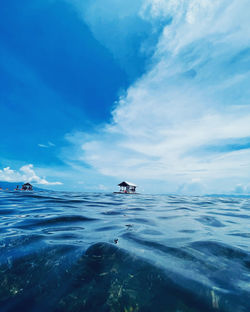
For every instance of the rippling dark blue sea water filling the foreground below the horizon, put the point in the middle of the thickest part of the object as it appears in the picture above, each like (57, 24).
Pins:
(112, 252)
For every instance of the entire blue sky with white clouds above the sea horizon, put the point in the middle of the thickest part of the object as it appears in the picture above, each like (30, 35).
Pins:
(155, 92)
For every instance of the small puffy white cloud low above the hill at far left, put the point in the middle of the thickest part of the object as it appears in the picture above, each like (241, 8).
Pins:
(26, 174)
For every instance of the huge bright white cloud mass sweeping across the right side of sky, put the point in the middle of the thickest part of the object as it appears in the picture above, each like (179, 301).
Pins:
(182, 122)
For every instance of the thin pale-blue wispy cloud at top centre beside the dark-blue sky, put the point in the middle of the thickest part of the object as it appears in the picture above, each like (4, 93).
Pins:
(120, 27)
